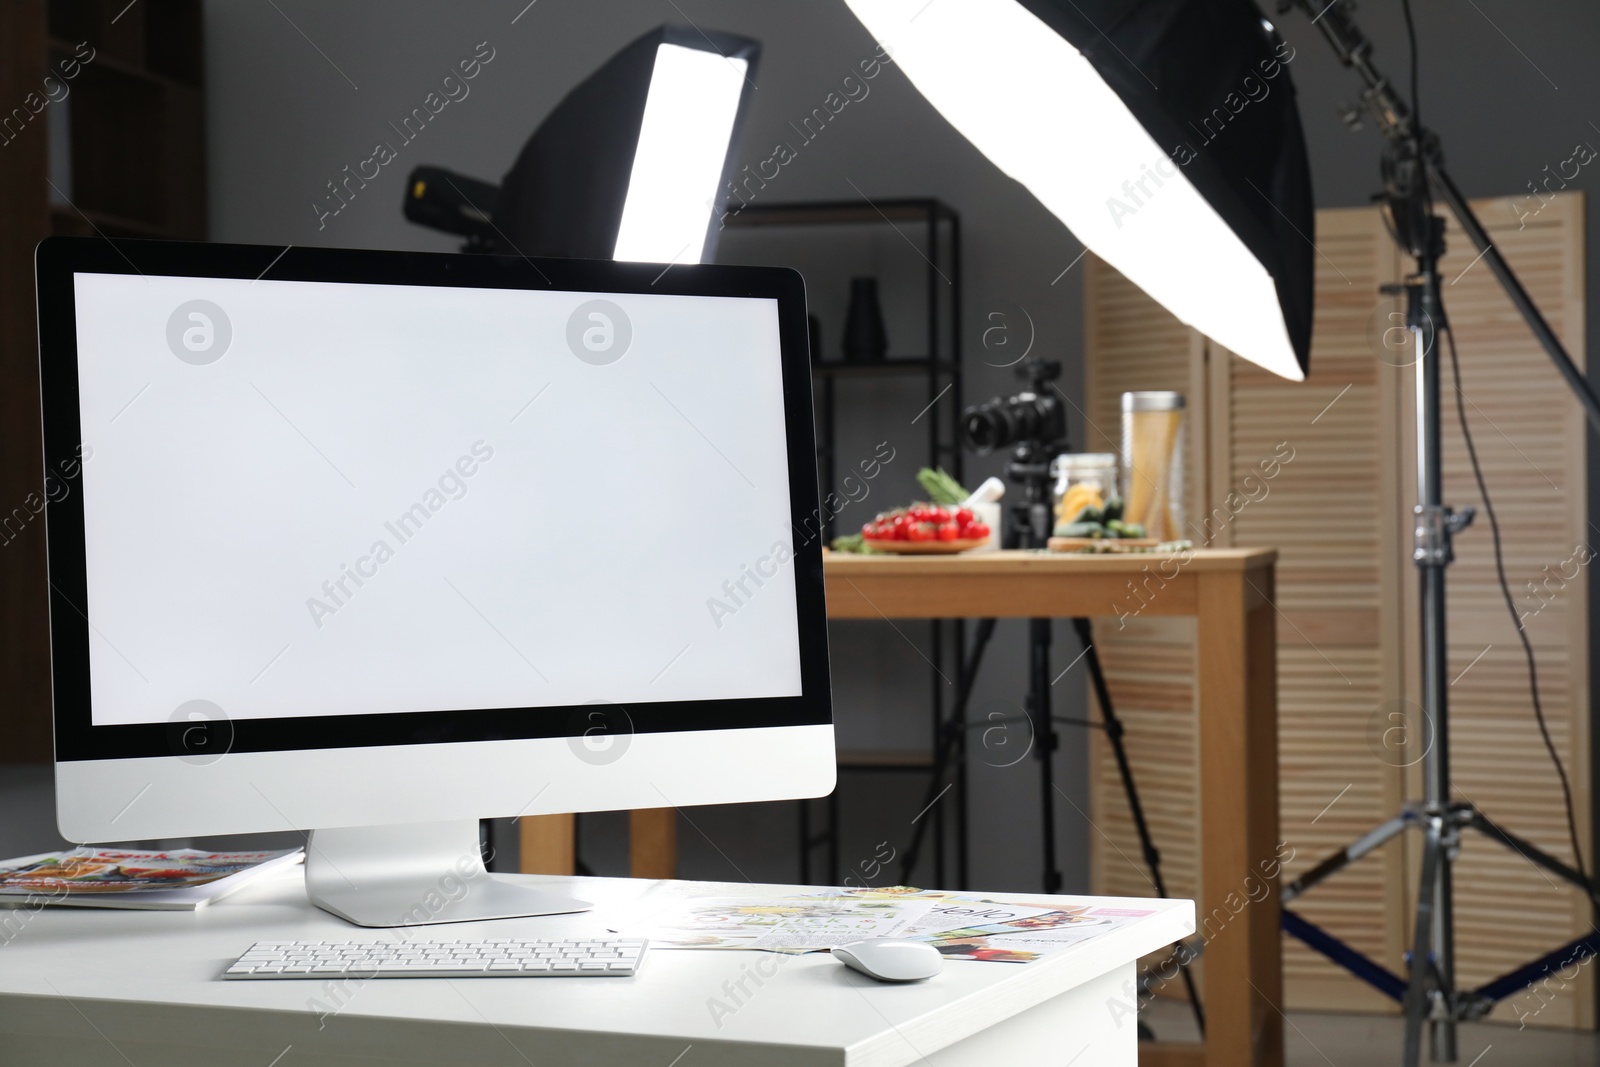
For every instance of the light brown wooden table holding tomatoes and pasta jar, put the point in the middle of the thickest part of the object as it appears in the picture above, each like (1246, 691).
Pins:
(1230, 593)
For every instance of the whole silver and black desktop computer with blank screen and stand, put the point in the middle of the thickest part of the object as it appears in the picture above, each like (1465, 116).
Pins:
(378, 545)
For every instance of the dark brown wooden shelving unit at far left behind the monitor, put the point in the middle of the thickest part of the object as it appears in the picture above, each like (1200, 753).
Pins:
(105, 102)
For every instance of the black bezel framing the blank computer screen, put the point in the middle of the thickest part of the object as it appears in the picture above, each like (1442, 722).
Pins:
(60, 258)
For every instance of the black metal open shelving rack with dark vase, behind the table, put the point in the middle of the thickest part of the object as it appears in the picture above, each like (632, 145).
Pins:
(940, 233)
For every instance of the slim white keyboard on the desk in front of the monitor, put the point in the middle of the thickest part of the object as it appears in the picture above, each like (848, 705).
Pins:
(591, 957)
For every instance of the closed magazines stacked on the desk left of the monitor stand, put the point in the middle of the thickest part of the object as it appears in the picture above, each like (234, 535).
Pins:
(178, 881)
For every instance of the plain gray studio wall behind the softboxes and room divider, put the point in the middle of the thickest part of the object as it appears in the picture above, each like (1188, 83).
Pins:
(286, 118)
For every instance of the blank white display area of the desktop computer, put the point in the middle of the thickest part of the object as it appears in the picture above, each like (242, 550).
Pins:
(572, 527)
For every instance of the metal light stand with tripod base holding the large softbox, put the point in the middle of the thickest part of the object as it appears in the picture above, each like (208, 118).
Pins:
(1414, 169)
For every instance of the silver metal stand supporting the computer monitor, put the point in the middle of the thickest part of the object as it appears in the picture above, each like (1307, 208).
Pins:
(409, 876)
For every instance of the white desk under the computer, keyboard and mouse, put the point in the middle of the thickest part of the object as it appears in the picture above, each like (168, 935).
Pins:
(108, 988)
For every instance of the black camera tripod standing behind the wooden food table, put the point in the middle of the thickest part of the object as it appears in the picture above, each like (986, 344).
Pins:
(1030, 527)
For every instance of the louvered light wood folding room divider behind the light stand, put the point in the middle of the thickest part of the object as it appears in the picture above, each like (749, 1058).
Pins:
(1324, 471)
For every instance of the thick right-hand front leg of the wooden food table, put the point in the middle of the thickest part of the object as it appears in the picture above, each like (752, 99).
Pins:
(1239, 820)
